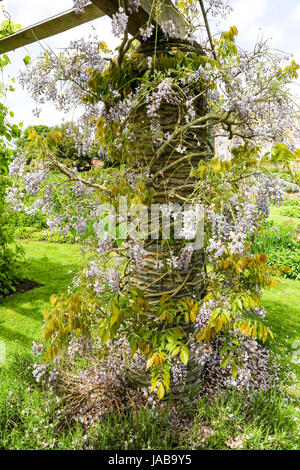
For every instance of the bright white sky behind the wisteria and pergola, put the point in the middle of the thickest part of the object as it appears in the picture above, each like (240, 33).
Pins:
(277, 20)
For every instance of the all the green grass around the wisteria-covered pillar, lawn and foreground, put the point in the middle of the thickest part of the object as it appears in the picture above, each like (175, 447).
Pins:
(32, 417)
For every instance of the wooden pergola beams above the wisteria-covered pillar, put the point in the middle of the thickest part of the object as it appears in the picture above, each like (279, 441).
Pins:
(95, 9)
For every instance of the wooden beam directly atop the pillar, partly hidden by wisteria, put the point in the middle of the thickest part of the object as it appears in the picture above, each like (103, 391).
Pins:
(140, 18)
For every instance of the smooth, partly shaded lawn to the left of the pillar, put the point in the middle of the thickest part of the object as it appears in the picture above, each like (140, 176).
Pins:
(21, 315)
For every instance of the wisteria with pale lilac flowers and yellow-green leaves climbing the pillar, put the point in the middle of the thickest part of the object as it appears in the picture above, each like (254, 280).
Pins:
(156, 105)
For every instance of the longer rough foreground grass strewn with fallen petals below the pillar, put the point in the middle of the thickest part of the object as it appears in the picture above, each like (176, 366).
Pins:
(34, 418)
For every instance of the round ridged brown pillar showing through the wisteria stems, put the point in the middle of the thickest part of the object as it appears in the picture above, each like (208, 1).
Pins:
(171, 185)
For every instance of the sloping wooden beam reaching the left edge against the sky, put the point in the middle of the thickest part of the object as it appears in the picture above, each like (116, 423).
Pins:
(55, 25)
